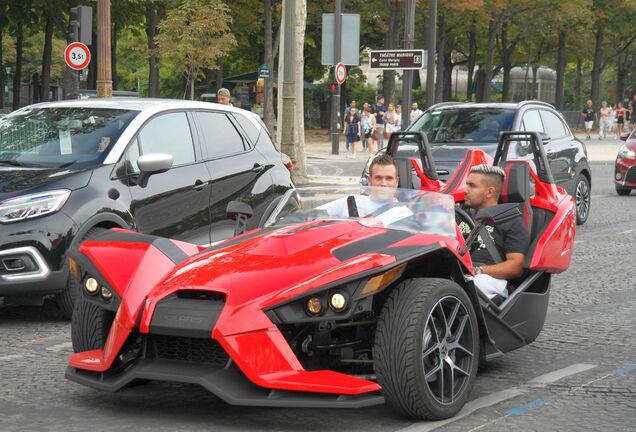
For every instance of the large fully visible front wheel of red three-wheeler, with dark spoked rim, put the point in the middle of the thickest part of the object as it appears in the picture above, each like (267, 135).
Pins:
(427, 348)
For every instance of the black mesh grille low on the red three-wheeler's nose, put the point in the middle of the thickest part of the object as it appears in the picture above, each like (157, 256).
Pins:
(190, 350)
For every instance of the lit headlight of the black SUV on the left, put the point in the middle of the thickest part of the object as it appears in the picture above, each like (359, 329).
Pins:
(33, 205)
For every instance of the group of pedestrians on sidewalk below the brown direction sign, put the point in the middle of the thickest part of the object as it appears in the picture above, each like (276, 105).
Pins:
(372, 123)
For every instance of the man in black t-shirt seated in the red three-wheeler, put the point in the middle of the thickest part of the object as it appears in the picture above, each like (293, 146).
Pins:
(511, 238)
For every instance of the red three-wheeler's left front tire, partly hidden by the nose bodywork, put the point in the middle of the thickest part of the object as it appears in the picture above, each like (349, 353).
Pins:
(90, 326)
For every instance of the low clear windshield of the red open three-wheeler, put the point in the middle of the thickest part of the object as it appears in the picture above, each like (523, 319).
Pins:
(410, 210)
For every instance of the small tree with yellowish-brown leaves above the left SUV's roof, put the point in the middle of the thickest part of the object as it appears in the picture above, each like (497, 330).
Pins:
(194, 35)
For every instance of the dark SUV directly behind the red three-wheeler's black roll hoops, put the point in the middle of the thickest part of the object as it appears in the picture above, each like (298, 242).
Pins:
(452, 128)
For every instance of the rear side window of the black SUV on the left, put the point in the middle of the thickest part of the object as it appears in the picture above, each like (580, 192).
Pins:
(220, 135)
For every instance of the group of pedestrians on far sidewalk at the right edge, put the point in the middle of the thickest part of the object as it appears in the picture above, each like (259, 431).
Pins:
(610, 119)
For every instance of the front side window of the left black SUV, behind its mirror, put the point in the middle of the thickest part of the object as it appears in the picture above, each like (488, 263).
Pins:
(168, 133)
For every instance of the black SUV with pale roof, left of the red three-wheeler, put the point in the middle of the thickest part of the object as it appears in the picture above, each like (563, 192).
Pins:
(169, 168)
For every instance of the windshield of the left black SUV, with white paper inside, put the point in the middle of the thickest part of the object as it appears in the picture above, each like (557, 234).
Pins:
(60, 137)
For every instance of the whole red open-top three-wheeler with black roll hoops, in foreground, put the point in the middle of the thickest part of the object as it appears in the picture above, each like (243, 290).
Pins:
(344, 297)
